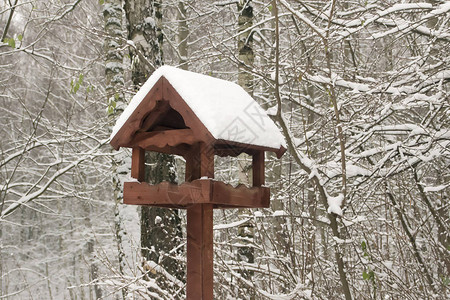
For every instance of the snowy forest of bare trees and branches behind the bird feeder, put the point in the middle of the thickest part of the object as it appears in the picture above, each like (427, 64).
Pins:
(360, 90)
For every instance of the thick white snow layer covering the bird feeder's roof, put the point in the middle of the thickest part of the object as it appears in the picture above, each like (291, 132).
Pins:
(225, 108)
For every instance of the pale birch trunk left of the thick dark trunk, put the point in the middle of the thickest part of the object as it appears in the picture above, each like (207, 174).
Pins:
(126, 216)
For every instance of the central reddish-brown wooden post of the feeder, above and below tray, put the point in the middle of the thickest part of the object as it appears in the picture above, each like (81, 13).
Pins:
(200, 231)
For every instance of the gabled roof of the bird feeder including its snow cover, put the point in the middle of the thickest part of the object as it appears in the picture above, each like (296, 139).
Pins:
(220, 110)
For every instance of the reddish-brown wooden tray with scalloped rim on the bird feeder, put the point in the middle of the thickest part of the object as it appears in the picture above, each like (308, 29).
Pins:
(203, 191)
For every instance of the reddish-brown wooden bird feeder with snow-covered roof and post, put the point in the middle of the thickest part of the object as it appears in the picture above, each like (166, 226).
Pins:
(197, 117)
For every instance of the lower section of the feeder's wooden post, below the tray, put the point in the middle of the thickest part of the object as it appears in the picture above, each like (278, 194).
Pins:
(200, 252)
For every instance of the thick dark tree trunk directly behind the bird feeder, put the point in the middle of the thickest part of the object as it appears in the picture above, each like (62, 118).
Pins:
(160, 227)
